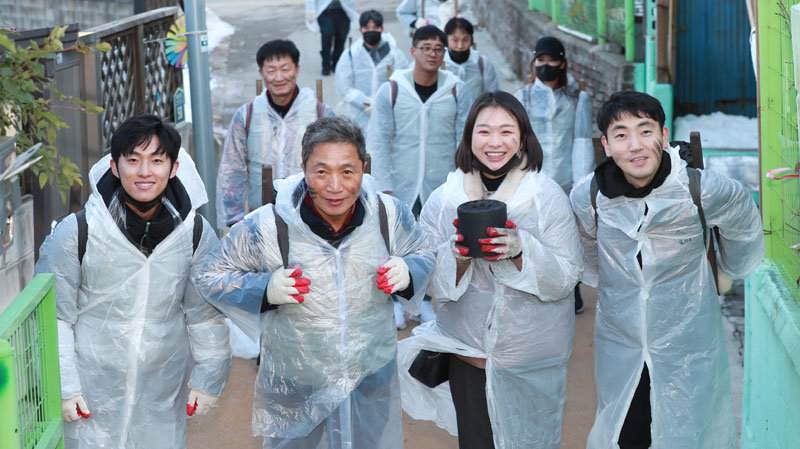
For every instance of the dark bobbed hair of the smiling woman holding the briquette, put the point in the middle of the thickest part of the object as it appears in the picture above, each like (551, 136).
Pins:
(506, 101)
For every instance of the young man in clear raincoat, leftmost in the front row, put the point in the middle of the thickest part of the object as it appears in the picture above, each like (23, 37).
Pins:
(130, 323)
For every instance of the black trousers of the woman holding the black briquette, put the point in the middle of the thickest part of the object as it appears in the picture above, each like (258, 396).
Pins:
(468, 389)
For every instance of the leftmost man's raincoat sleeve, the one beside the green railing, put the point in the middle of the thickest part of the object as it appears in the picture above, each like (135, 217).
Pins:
(59, 255)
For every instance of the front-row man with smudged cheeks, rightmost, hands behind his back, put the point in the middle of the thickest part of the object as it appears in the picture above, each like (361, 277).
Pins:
(661, 368)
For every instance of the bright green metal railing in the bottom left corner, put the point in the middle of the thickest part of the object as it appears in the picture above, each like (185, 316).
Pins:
(30, 388)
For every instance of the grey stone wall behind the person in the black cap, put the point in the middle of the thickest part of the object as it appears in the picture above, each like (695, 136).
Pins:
(515, 29)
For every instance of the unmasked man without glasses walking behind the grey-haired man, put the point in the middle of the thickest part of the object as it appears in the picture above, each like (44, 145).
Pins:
(266, 131)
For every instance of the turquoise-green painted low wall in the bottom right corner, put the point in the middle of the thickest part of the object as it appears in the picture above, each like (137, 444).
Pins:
(771, 399)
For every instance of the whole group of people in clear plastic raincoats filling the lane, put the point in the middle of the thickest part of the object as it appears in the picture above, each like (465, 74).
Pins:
(143, 284)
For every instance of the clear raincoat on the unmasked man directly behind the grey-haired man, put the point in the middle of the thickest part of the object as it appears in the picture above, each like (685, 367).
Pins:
(272, 140)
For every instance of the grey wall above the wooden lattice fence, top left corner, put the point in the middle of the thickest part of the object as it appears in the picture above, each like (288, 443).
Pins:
(30, 14)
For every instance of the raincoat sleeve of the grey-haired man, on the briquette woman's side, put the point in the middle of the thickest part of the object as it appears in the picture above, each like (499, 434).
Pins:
(415, 246)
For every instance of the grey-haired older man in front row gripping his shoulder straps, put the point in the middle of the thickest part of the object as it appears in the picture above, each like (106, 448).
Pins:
(311, 277)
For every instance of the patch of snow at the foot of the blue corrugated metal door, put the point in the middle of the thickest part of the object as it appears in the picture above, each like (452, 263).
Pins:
(719, 130)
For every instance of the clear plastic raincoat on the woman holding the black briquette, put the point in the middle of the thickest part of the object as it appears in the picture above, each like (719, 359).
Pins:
(522, 322)
